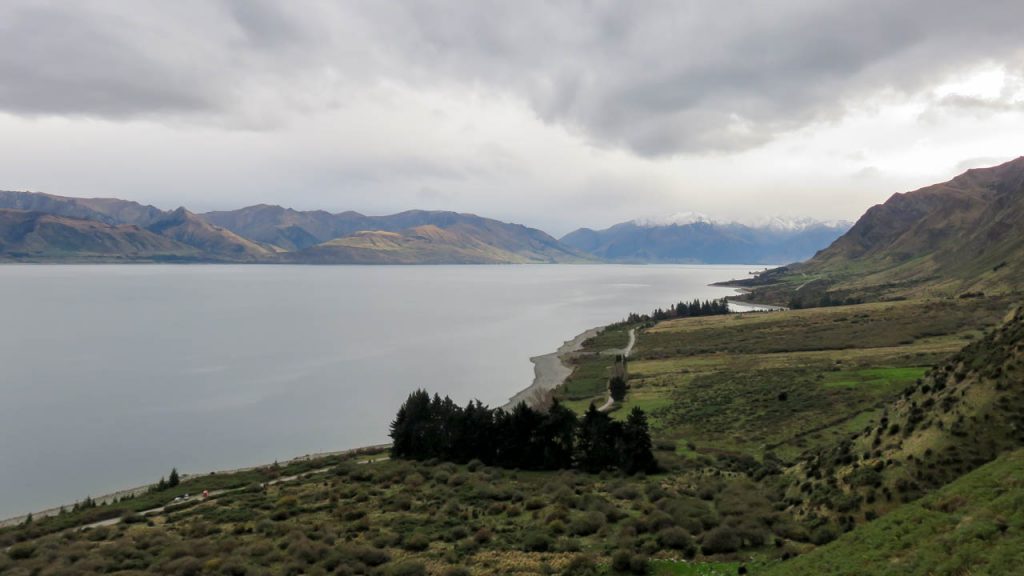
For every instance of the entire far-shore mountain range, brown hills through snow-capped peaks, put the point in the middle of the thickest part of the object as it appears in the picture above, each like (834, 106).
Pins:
(37, 227)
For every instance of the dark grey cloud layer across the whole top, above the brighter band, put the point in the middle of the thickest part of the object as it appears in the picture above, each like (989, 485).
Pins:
(657, 78)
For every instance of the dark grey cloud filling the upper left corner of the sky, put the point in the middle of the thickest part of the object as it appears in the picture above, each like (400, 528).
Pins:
(59, 59)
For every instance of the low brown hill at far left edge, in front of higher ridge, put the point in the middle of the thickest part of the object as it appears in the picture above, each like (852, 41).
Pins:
(34, 236)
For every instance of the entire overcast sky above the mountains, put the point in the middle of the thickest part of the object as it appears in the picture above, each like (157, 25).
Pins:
(558, 115)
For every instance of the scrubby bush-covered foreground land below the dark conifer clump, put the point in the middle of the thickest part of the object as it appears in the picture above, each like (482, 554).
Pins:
(361, 517)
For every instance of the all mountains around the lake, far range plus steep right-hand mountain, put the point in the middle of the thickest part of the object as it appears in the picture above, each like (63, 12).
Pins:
(959, 237)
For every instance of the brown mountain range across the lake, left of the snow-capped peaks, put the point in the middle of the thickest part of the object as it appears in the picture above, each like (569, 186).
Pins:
(273, 234)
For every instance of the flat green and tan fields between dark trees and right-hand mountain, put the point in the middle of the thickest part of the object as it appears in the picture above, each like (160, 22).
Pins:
(747, 385)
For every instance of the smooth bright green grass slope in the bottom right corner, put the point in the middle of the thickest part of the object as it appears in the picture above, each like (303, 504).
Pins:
(973, 526)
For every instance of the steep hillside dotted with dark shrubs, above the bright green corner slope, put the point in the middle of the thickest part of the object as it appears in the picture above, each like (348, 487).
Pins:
(961, 415)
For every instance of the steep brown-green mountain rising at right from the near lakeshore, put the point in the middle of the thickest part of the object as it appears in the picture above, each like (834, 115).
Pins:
(959, 237)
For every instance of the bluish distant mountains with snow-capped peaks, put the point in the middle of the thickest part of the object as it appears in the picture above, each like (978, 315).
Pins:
(698, 239)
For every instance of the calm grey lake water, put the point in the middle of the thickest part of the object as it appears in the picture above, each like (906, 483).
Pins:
(110, 376)
